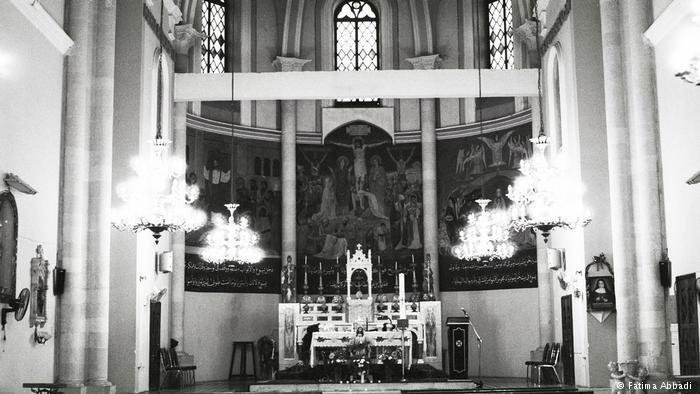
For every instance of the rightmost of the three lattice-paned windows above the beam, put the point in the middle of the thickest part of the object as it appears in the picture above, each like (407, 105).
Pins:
(501, 34)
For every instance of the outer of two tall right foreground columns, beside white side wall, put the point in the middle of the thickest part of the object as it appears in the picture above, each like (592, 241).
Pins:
(646, 178)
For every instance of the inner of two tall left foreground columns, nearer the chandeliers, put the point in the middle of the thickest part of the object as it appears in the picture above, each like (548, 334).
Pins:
(100, 192)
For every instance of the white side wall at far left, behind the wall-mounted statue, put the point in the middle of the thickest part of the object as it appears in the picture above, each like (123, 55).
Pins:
(30, 140)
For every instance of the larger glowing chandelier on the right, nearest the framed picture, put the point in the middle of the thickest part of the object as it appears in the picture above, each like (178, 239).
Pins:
(545, 197)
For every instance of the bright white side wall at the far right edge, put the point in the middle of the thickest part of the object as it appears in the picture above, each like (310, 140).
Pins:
(680, 143)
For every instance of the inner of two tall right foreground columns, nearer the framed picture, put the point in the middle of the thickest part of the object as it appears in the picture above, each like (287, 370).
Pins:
(621, 210)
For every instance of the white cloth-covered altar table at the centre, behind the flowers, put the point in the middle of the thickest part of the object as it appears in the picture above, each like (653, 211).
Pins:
(376, 339)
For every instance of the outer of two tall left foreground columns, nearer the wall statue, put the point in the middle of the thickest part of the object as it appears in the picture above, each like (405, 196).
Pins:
(72, 255)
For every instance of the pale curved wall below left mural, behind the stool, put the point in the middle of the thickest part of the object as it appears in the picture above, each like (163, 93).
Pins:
(214, 320)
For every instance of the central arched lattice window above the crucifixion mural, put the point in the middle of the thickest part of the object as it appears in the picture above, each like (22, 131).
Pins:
(356, 41)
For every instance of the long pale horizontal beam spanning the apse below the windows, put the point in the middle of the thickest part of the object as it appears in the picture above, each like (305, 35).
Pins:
(319, 85)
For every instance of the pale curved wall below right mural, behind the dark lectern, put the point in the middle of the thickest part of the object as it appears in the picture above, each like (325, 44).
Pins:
(508, 322)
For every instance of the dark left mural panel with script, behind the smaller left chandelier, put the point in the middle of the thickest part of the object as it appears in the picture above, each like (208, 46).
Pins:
(246, 172)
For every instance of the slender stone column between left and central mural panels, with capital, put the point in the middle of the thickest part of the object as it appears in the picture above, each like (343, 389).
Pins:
(289, 175)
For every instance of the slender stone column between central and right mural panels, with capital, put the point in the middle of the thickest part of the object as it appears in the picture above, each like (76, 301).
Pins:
(429, 166)
